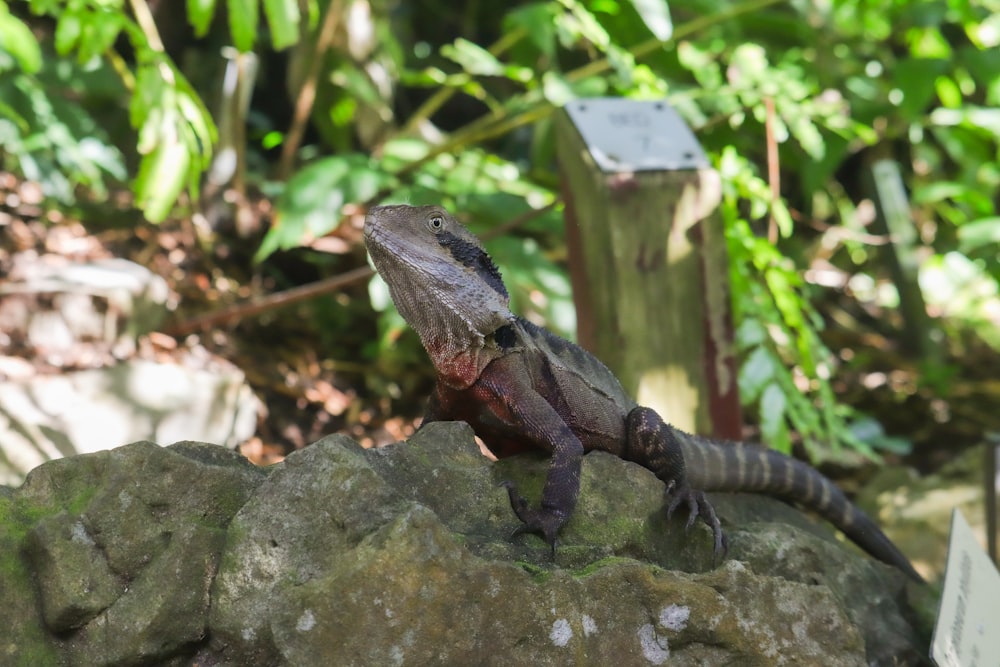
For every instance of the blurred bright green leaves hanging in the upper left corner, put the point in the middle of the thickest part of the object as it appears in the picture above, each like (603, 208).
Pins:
(45, 122)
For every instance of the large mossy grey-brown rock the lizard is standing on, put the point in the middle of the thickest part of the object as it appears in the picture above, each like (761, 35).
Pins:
(400, 556)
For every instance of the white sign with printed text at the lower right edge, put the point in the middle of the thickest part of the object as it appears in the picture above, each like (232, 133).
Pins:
(967, 632)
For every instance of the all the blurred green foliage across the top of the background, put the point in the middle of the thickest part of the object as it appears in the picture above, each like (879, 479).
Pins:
(467, 122)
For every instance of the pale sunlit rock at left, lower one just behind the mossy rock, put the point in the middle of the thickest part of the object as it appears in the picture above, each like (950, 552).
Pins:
(45, 417)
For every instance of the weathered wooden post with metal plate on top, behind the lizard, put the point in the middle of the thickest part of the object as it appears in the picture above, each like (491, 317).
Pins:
(648, 259)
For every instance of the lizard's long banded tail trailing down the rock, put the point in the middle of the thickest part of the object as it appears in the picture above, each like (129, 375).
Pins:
(713, 466)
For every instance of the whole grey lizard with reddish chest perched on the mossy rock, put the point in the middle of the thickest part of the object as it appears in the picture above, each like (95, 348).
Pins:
(521, 387)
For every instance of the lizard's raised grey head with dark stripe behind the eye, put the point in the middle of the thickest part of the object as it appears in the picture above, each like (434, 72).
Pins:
(431, 262)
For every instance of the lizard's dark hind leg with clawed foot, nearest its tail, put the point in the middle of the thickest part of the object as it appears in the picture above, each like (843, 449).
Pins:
(653, 444)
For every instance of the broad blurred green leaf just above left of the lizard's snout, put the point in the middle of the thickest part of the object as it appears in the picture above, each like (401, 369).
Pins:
(311, 204)
